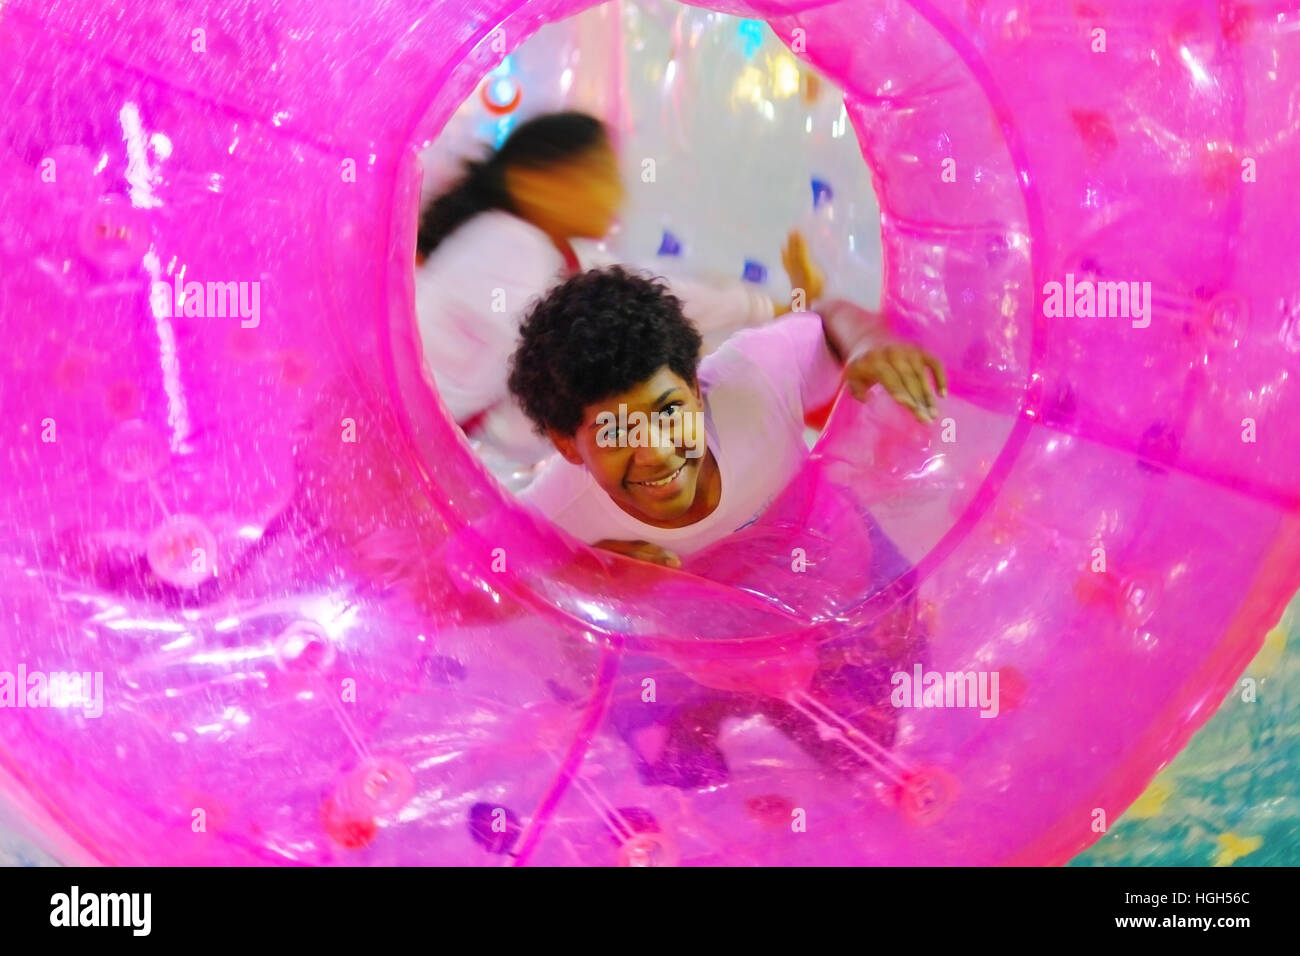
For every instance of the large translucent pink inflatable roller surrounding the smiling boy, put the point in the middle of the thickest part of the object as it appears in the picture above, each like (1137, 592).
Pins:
(310, 629)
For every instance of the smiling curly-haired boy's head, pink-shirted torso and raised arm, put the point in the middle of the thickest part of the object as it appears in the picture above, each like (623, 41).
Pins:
(721, 439)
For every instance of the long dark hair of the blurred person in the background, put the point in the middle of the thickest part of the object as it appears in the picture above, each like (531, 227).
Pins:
(543, 142)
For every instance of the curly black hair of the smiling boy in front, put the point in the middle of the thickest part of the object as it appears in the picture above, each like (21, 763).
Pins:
(600, 334)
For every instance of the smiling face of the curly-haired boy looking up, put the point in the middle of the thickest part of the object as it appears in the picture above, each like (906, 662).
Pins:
(656, 481)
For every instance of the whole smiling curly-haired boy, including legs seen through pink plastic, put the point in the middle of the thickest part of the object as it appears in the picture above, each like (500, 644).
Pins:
(664, 456)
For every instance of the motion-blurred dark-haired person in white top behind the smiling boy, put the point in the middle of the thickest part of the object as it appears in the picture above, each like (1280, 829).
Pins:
(501, 237)
